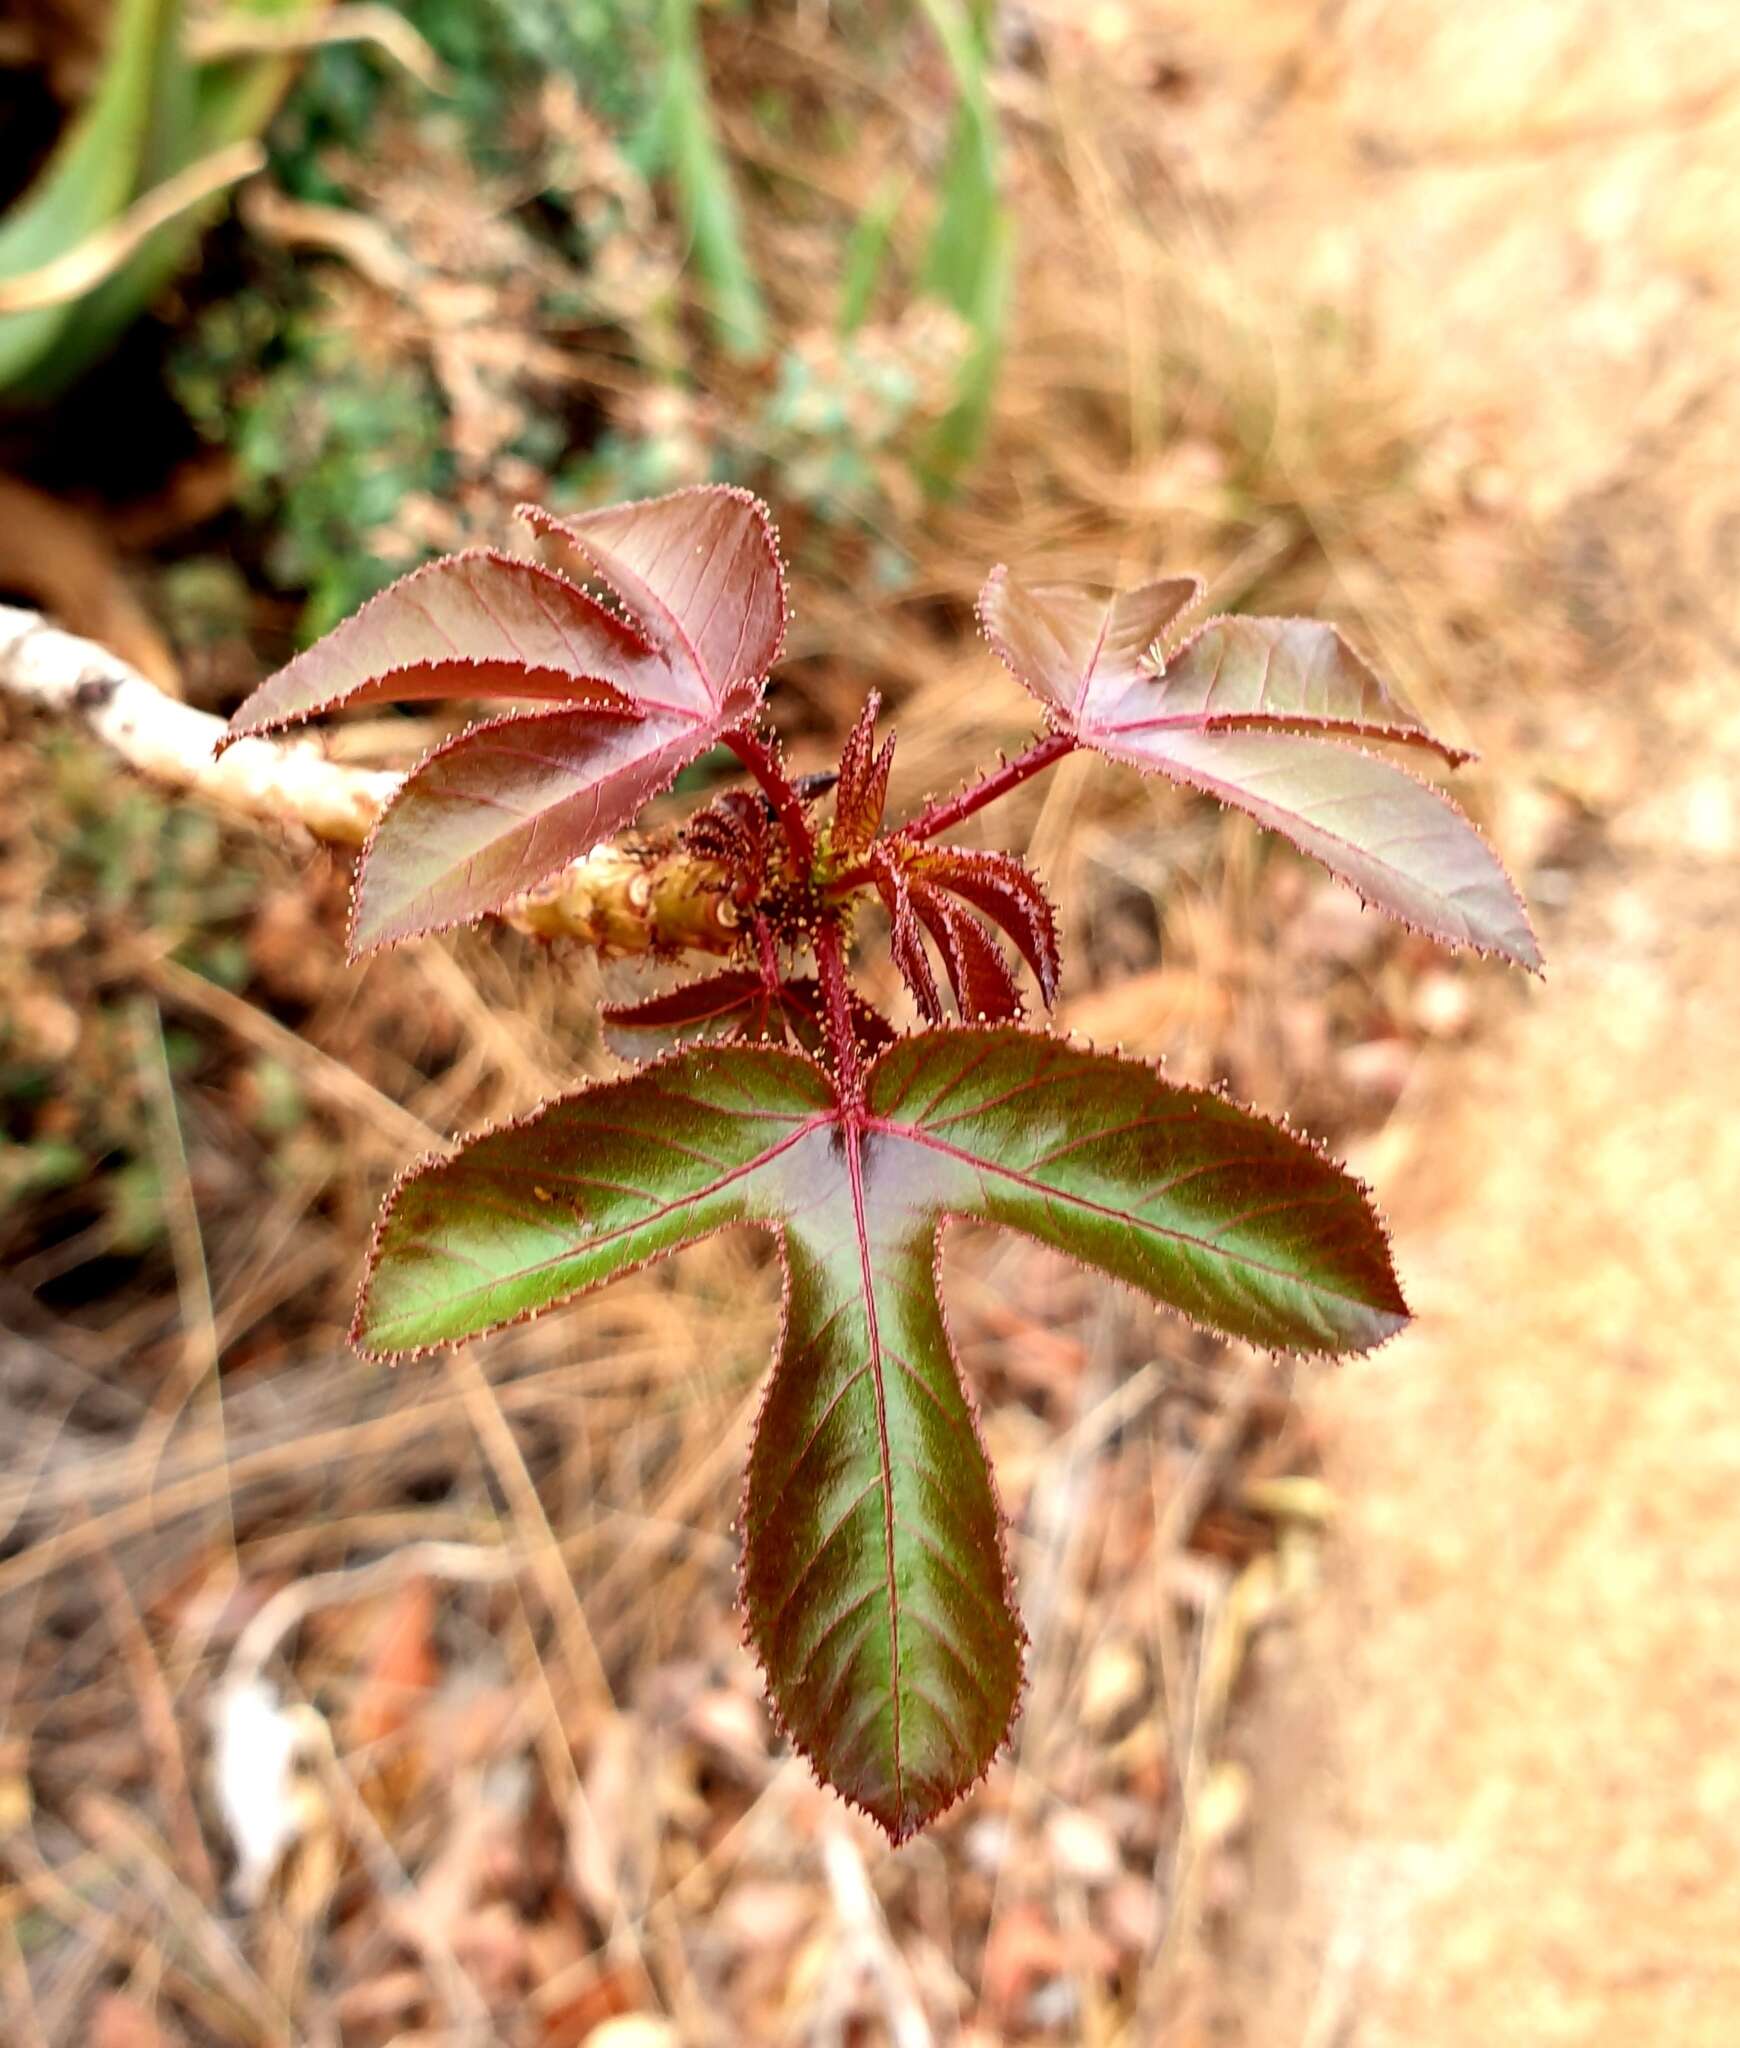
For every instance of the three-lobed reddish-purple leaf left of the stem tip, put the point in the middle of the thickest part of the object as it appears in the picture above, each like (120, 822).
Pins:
(513, 802)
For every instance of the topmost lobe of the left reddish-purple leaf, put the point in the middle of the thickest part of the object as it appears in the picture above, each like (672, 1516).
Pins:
(701, 574)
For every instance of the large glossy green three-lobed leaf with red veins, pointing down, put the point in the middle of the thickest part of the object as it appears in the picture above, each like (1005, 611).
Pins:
(873, 1568)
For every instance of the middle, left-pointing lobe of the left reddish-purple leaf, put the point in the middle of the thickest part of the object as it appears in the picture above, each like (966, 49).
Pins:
(470, 626)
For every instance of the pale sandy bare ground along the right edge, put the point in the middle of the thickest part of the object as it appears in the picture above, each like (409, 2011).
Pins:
(1497, 1777)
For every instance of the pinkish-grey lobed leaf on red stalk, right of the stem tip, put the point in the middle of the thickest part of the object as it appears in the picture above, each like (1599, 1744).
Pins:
(1250, 712)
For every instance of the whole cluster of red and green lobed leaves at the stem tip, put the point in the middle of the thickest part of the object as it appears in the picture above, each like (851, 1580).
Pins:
(875, 1578)
